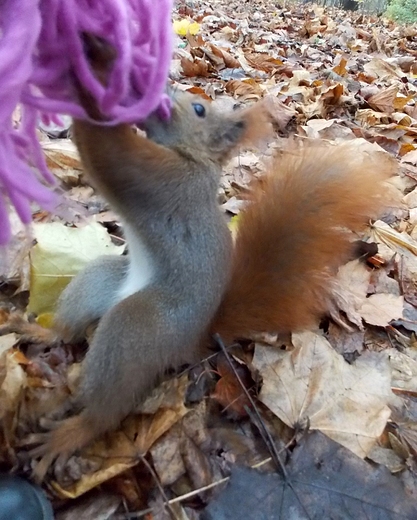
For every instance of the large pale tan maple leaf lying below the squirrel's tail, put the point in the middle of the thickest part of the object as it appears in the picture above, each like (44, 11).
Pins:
(314, 386)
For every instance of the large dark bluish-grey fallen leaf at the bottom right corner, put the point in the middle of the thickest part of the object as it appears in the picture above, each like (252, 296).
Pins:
(321, 478)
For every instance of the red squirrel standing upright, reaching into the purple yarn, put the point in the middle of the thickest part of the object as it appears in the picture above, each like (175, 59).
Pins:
(183, 278)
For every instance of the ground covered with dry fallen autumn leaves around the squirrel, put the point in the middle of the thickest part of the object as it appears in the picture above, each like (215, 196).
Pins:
(334, 433)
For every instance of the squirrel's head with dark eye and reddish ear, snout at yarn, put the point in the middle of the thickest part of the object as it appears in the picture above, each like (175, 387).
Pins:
(204, 130)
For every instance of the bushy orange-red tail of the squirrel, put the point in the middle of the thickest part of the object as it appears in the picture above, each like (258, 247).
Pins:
(296, 234)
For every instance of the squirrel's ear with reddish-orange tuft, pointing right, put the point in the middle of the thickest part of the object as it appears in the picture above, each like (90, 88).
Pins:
(246, 128)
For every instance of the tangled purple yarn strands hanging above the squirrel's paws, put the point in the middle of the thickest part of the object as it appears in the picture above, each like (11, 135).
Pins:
(40, 48)
